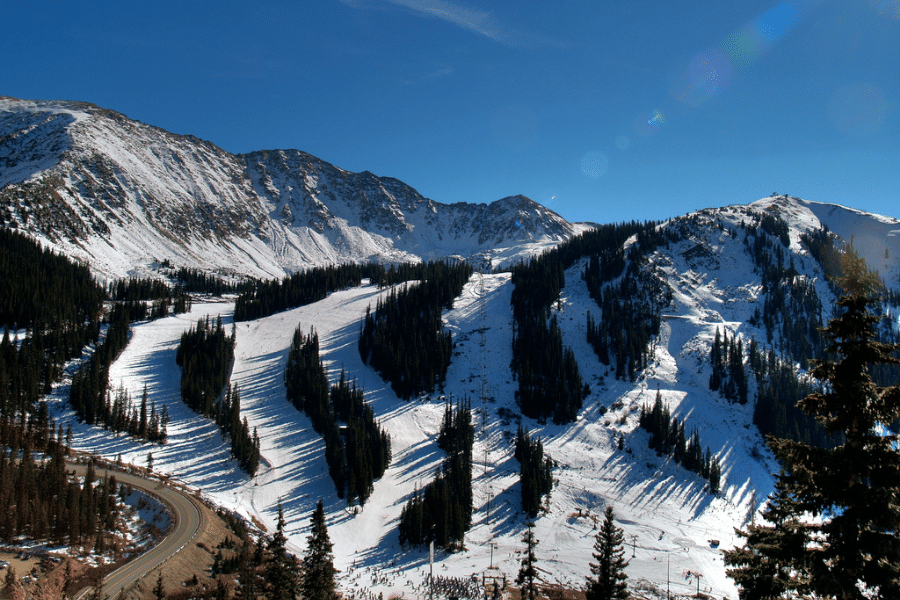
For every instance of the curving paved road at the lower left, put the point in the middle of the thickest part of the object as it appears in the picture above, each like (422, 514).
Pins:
(187, 523)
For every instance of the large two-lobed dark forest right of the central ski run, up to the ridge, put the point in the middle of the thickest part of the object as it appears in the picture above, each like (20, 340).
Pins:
(550, 384)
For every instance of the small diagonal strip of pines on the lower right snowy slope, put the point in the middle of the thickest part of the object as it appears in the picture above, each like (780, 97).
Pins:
(667, 437)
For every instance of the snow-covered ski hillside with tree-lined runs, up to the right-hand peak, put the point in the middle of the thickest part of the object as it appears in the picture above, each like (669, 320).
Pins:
(668, 515)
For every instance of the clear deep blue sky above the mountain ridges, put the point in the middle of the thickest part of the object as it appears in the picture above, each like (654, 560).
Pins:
(603, 111)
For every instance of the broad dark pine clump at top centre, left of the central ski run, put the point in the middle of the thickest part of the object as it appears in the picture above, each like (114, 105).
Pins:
(404, 340)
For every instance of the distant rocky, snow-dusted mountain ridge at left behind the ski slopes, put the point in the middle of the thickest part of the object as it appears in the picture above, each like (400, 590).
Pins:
(123, 196)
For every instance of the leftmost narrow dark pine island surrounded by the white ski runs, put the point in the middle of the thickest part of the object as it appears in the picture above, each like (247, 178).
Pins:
(205, 355)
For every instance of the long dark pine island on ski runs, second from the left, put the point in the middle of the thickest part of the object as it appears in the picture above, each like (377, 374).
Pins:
(359, 454)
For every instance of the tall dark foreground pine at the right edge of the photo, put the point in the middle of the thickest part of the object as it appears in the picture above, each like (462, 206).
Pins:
(835, 519)
